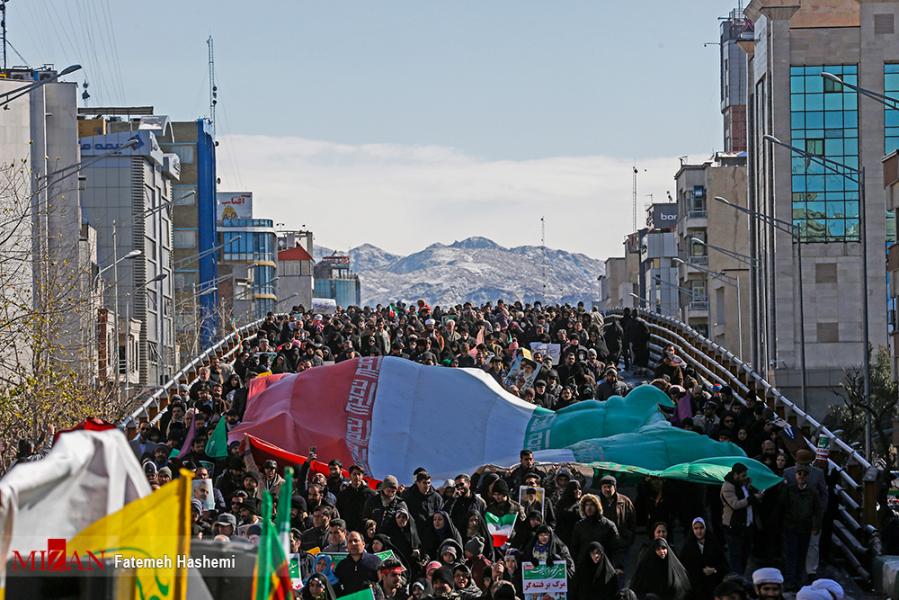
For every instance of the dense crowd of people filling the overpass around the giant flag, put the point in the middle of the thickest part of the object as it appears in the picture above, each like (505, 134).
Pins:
(637, 537)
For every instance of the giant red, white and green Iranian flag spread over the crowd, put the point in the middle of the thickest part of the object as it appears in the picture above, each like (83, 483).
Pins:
(391, 415)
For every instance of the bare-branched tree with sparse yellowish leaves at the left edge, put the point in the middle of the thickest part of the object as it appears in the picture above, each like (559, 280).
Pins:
(48, 319)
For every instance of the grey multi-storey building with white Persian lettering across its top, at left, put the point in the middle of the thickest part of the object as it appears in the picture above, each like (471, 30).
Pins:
(127, 197)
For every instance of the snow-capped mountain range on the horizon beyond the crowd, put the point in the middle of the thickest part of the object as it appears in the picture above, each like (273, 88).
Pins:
(475, 269)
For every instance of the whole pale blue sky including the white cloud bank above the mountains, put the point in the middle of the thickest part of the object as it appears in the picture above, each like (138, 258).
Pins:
(337, 85)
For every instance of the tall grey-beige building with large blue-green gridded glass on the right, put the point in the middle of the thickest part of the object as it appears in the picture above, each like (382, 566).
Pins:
(789, 99)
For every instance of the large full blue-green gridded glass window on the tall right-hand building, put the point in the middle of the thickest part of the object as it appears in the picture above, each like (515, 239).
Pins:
(824, 121)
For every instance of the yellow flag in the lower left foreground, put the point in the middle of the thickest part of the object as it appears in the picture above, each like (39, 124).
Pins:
(147, 537)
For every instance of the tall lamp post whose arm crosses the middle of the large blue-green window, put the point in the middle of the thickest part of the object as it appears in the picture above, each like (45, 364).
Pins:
(856, 176)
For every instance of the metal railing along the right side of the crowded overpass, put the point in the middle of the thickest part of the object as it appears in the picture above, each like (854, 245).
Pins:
(854, 535)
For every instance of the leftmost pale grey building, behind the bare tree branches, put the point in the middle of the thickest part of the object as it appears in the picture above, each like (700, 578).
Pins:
(48, 264)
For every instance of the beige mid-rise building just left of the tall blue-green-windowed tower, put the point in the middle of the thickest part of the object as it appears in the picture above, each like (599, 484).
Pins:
(713, 244)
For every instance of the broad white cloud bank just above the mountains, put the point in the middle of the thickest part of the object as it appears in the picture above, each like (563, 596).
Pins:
(403, 198)
